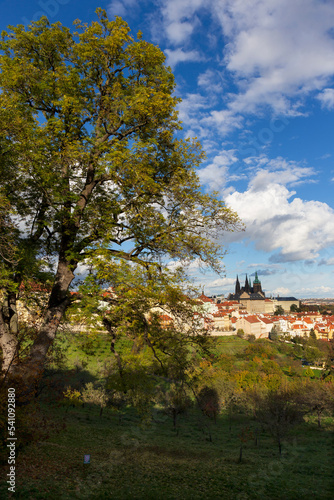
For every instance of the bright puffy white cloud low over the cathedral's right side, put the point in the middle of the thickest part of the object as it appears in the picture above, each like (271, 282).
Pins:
(277, 221)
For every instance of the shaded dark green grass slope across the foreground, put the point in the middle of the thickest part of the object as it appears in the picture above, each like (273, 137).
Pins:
(132, 462)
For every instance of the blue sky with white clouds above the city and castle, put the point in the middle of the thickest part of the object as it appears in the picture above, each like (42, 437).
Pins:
(256, 78)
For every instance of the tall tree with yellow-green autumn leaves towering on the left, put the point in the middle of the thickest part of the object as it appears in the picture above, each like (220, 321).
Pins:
(91, 159)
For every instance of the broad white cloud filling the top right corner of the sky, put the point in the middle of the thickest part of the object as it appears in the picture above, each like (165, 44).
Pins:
(277, 49)
